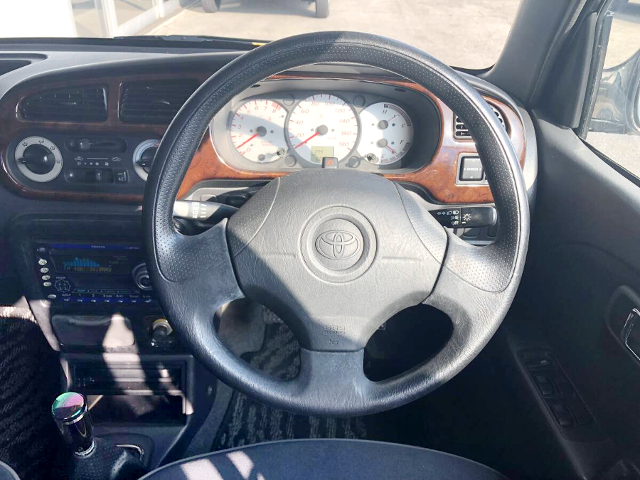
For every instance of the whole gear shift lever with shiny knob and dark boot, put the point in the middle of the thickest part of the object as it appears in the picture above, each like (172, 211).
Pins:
(94, 458)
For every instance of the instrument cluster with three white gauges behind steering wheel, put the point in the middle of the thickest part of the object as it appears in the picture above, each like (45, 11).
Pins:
(376, 127)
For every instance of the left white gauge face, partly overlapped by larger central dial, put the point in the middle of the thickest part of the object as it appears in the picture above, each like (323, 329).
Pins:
(257, 131)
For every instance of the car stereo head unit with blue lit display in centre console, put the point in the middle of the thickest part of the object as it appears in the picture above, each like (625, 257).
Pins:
(89, 273)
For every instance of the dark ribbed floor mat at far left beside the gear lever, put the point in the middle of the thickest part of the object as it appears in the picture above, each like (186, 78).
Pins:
(29, 382)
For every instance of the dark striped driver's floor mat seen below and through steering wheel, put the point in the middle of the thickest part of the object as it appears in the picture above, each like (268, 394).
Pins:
(248, 421)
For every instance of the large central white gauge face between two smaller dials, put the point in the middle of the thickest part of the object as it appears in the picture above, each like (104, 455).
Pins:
(323, 125)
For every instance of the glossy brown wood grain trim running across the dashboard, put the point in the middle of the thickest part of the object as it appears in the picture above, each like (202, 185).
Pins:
(438, 175)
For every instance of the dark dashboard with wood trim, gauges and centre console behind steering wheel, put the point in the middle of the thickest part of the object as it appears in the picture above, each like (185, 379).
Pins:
(79, 128)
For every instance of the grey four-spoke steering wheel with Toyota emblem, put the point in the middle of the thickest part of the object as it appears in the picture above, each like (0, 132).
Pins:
(335, 253)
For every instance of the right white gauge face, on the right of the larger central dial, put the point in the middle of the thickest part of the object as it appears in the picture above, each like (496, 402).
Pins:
(387, 133)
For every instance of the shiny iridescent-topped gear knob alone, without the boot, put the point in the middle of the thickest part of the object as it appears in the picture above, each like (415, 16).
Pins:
(72, 416)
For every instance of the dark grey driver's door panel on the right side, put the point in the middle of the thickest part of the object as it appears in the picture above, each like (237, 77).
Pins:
(583, 274)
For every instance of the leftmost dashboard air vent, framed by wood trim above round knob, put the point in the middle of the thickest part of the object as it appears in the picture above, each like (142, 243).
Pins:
(77, 104)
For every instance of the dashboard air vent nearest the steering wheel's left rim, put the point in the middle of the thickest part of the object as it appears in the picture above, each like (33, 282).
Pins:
(154, 102)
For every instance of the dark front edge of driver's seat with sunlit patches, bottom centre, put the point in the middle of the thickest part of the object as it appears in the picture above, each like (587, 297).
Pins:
(320, 459)
